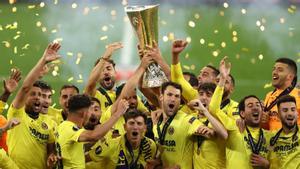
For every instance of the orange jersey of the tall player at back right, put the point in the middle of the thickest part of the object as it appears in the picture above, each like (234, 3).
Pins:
(274, 123)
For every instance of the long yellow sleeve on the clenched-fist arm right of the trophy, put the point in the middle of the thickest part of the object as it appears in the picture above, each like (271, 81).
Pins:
(188, 92)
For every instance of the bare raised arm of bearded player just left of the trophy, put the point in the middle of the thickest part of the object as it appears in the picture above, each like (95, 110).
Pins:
(90, 88)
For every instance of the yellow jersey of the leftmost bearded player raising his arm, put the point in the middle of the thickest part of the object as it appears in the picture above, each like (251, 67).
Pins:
(27, 142)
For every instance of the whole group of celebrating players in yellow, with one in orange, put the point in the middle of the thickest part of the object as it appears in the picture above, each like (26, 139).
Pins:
(188, 122)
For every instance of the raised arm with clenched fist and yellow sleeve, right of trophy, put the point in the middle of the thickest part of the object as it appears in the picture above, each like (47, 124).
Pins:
(188, 92)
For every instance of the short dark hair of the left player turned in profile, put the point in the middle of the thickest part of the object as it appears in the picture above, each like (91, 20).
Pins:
(78, 102)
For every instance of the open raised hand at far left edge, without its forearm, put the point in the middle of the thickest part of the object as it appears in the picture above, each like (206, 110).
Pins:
(11, 84)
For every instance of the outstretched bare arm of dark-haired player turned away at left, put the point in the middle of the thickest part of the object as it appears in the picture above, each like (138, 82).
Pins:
(101, 130)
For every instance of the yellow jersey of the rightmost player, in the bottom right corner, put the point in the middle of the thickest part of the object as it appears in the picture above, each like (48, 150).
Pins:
(286, 151)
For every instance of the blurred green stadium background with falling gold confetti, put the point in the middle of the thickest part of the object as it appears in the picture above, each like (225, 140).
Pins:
(251, 33)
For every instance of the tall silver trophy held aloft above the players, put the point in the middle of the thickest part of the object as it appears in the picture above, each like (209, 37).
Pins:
(144, 20)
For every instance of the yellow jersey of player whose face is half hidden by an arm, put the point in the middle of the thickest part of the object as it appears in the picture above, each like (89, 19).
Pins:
(211, 153)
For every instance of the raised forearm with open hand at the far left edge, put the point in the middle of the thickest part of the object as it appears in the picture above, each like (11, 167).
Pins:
(11, 84)
